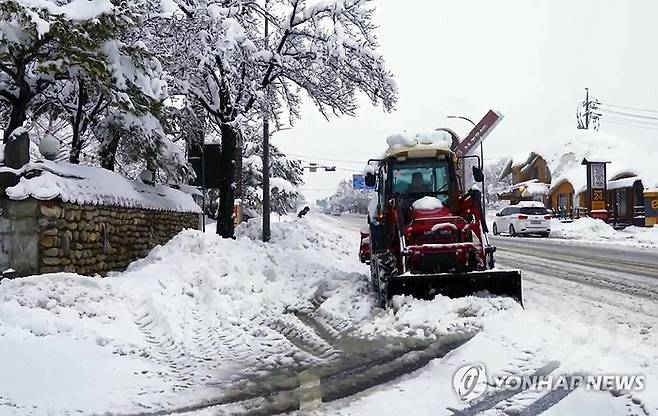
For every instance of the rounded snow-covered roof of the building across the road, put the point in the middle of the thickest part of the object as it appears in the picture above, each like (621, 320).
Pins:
(564, 156)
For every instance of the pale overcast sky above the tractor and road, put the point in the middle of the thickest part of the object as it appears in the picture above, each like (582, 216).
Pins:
(530, 60)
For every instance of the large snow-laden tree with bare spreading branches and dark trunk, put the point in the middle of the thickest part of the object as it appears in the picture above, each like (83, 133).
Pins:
(325, 50)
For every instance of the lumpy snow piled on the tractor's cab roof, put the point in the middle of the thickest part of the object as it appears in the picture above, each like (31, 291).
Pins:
(421, 144)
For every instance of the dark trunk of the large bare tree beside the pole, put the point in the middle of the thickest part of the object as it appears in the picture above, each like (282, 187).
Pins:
(227, 167)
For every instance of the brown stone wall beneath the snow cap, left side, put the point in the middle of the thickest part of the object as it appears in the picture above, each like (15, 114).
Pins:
(53, 236)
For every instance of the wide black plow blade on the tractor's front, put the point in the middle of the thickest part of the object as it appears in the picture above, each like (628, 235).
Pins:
(456, 285)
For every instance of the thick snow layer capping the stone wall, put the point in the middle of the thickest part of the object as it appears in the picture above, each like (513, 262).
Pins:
(87, 185)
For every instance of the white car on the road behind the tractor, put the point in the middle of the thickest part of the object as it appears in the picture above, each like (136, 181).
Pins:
(523, 219)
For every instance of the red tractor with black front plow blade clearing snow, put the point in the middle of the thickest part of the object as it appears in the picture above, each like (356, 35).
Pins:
(426, 234)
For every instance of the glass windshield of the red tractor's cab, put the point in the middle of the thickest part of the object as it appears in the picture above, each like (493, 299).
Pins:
(422, 178)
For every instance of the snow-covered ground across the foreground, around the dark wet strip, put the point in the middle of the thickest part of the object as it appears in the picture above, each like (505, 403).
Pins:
(200, 314)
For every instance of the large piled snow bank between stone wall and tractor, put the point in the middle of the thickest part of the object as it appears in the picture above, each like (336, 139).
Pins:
(172, 328)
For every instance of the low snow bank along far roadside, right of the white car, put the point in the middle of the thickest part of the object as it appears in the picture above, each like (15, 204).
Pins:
(590, 229)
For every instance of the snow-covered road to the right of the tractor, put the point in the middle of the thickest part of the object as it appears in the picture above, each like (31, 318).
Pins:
(589, 309)
